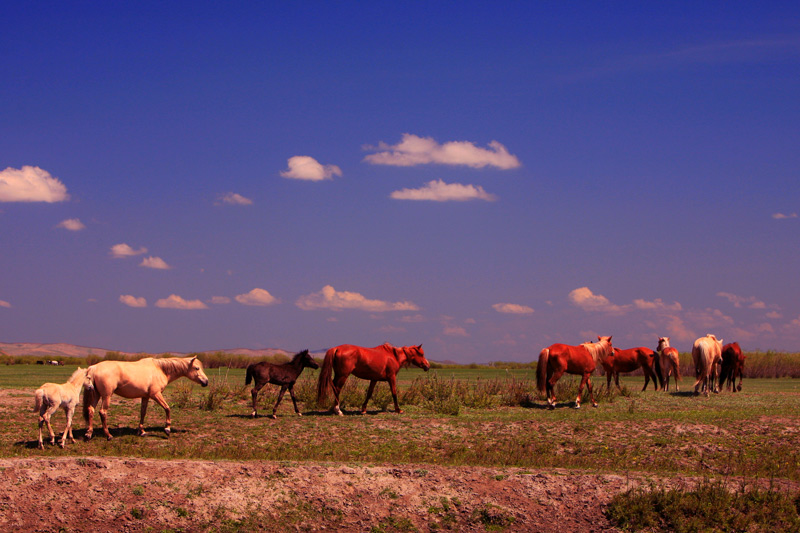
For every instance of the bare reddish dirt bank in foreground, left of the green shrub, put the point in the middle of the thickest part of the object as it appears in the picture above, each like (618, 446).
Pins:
(117, 494)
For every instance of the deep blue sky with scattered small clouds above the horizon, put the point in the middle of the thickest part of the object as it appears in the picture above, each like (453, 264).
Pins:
(482, 178)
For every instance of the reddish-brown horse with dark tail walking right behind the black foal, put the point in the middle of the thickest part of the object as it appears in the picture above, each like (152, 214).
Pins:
(375, 364)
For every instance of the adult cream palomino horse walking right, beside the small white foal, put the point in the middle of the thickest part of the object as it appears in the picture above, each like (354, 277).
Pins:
(146, 378)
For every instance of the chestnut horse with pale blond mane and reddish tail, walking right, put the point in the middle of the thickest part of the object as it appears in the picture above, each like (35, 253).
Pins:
(582, 360)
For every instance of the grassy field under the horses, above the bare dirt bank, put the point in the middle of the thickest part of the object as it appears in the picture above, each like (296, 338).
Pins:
(752, 434)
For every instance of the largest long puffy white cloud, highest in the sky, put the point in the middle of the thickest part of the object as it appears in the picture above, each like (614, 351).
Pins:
(413, 150)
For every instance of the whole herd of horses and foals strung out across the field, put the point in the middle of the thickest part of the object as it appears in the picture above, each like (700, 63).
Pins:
(147, 378)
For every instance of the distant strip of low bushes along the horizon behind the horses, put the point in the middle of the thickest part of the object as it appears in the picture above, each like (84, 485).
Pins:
(769, 364)
